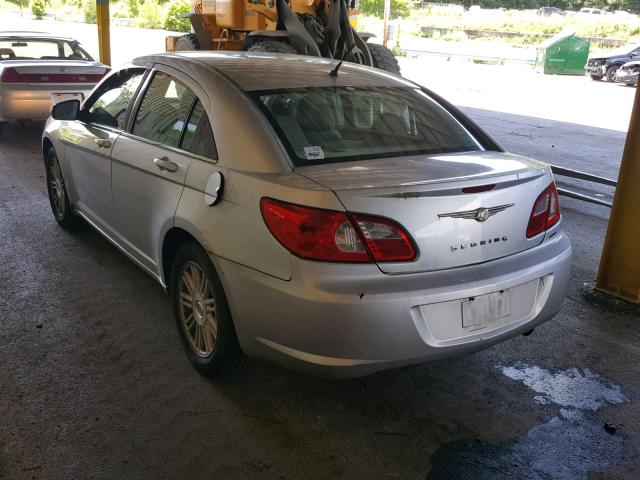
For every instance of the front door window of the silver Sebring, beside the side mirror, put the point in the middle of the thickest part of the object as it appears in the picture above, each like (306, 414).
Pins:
(113, 97)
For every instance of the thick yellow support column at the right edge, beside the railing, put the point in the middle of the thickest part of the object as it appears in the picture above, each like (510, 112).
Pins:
(619, 272)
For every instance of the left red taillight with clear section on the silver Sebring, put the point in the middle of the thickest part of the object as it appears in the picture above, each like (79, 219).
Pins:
(331, 236)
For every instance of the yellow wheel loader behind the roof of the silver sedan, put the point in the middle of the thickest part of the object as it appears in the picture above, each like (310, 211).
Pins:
(307, 27)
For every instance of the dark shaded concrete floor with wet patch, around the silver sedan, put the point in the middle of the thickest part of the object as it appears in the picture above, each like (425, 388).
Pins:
(94, 383)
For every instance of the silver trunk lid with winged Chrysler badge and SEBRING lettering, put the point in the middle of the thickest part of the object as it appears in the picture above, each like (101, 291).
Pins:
(460, 209)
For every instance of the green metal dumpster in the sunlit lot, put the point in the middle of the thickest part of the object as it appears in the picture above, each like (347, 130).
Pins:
(563, 54)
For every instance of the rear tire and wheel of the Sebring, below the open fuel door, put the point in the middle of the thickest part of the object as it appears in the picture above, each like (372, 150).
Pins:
(202, 314)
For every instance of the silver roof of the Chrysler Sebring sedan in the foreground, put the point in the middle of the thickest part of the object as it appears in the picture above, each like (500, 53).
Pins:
(267, 71)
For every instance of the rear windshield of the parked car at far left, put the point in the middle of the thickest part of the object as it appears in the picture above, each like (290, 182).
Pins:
(41, 49)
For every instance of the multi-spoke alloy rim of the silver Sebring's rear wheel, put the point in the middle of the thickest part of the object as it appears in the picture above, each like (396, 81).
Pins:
(197, 309)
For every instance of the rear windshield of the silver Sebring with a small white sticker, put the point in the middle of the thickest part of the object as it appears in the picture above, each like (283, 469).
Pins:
(339, 124)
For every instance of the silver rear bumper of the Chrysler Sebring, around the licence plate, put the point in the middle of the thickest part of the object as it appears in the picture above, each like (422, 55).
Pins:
(351, 320)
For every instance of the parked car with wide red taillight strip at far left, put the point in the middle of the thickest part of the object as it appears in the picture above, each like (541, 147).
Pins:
(37, 70)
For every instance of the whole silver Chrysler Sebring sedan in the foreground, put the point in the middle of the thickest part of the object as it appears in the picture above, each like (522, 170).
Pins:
(332, 218)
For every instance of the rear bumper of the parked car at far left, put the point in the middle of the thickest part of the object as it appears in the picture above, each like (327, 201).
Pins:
(33, 101)
